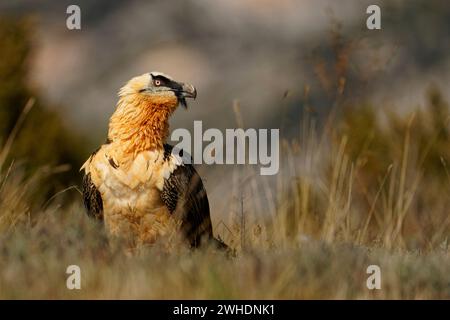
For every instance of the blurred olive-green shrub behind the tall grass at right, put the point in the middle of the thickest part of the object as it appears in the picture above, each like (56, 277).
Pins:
(376, 139)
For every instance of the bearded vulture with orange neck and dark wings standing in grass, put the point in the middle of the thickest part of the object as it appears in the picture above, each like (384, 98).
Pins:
(142, 190)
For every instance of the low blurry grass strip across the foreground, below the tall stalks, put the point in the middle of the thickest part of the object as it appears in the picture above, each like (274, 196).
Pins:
(33, 263)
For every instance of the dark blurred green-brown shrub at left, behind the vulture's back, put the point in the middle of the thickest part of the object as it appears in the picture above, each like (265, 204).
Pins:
(43, 139)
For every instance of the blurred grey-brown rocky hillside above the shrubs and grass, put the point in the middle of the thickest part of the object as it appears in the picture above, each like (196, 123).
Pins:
(255, 51)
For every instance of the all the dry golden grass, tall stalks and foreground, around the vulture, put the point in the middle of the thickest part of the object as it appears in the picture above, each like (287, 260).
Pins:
(334, 214)
